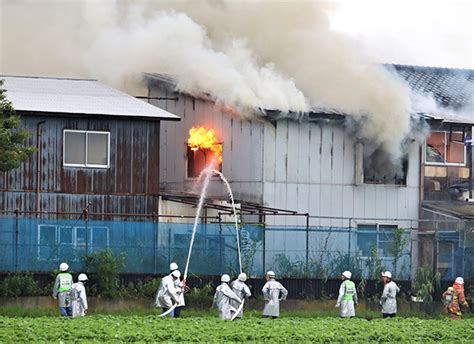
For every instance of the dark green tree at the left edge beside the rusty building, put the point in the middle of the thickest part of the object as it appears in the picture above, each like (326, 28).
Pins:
(12, 136)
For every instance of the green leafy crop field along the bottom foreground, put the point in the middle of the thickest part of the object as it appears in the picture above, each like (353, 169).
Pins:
(148, 328)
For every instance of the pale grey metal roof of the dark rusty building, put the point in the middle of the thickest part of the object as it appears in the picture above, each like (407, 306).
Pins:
(76, 96)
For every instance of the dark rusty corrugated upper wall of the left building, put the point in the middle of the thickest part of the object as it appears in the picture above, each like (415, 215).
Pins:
(127, 186)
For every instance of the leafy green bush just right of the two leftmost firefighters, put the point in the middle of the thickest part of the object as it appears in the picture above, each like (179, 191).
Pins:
(106, 267)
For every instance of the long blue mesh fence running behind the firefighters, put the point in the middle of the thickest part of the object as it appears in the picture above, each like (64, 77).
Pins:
(39, 242)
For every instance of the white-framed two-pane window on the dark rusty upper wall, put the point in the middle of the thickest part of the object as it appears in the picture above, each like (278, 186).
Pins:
(84, 148)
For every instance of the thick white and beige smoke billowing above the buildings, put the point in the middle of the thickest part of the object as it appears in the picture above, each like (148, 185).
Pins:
(254, 54)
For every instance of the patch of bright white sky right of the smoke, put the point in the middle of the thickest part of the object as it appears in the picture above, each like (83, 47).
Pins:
(421, 32)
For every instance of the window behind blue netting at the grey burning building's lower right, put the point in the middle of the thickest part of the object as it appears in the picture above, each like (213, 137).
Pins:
(377, 236)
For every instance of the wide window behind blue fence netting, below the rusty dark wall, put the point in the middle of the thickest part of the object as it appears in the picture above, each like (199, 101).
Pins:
(65, 241)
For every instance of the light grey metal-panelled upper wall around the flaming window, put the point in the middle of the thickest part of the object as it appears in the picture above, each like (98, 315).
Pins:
(304, 166)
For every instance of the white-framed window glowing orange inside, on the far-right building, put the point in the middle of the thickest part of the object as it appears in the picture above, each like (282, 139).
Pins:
(445, 148)
